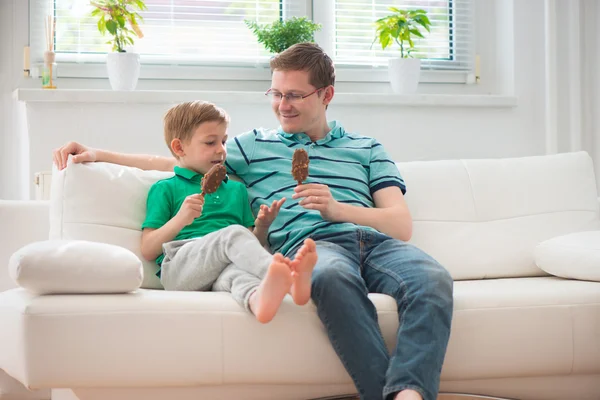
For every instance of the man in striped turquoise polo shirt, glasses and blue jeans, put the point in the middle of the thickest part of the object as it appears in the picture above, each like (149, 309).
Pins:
(353, 207)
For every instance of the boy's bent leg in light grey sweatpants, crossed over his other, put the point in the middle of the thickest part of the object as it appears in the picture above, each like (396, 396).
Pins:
(196, 264)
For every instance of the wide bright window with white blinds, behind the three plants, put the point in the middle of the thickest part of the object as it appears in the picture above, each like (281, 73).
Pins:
(213, 33)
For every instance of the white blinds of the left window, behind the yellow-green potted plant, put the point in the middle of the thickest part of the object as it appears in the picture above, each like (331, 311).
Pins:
(175, 31)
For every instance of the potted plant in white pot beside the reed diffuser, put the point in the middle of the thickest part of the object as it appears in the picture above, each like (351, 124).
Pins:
(119, 19)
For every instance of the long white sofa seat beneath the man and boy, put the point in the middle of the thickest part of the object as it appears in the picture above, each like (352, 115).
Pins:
(501, 328)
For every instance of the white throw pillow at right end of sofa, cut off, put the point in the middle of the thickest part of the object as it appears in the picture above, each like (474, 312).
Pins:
(573, 256)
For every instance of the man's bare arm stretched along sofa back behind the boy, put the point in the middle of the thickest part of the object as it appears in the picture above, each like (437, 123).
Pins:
(83, 153)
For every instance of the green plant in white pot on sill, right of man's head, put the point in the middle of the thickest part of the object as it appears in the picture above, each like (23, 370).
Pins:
(401, 28)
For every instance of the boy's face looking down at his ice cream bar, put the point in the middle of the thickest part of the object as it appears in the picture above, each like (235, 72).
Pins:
(206, 147)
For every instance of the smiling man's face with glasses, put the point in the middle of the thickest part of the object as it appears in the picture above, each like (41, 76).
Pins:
(299, 114)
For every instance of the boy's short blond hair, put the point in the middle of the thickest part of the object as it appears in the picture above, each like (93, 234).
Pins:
(181, 121)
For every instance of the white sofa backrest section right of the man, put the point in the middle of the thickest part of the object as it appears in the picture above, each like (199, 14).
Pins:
(483, 218)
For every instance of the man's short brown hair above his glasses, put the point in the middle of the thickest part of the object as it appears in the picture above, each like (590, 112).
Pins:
(306, 57)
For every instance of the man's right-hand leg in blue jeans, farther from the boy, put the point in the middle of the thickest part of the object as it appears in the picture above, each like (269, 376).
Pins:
(423, 292)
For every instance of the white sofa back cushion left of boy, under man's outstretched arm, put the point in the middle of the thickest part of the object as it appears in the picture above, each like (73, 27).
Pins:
(106, 203)
